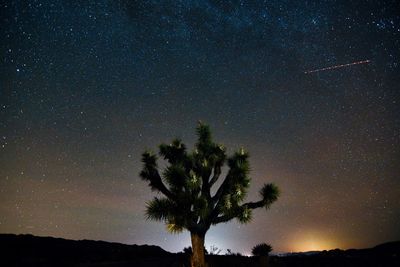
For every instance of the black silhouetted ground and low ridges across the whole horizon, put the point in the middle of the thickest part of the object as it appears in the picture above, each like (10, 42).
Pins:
(29, 250)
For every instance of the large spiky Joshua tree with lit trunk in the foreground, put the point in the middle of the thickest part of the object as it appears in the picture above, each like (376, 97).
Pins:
(186, 184)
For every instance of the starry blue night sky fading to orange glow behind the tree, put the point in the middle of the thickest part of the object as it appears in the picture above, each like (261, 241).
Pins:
(87, 86)
